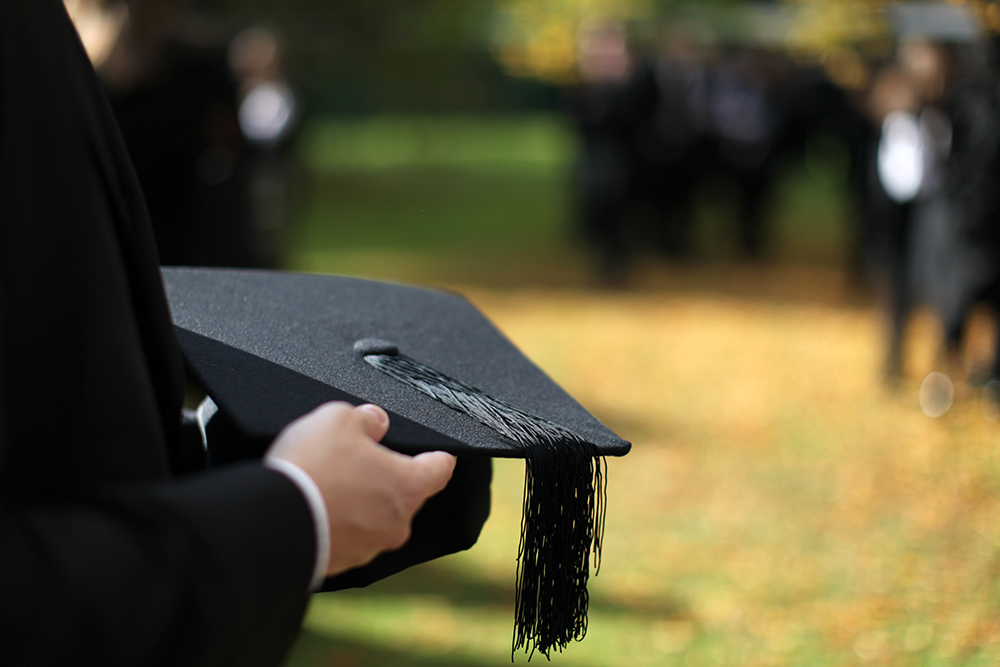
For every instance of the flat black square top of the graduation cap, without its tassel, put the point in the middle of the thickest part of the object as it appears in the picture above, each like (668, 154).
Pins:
(270, 346)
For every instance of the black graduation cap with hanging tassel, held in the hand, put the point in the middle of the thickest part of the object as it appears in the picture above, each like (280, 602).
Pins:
(268, 347)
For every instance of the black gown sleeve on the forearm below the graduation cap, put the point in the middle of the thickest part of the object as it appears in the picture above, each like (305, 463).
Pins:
(209, 571)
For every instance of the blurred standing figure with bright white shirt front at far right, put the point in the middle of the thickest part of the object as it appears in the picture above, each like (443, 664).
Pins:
(937, 165)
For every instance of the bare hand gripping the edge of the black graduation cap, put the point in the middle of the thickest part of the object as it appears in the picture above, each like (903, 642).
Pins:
(371, 492)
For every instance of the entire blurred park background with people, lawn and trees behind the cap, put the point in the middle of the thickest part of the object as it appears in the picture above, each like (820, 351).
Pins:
(694, 218)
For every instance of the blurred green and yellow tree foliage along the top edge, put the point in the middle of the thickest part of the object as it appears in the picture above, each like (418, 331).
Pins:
(462, 55)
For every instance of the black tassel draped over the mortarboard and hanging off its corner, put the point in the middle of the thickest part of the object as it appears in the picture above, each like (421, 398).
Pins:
(565, 494)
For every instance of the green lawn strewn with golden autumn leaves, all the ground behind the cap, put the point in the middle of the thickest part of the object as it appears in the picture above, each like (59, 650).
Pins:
(779, 507)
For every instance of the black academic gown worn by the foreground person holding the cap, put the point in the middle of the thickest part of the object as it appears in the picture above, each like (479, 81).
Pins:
(105, 557)
